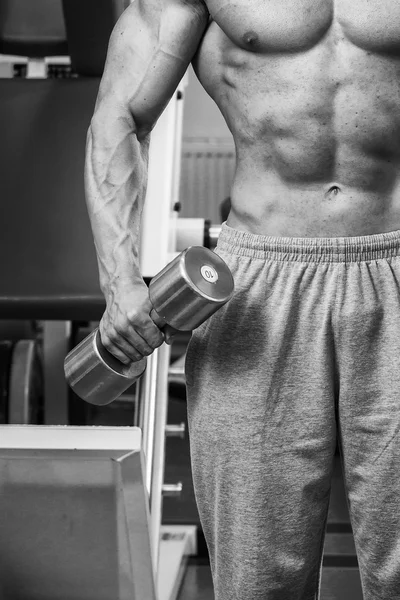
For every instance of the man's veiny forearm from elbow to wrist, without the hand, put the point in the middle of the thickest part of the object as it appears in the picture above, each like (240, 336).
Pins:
(115, 184)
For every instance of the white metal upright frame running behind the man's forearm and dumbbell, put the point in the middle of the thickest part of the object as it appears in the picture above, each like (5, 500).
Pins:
(158, 247)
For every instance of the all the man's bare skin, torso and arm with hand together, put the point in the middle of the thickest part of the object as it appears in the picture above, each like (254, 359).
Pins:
(310, 90)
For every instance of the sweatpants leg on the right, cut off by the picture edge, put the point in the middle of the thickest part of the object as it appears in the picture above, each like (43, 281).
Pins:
(367, 335)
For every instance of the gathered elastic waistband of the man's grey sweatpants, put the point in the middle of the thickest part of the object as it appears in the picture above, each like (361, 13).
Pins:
(298, 249)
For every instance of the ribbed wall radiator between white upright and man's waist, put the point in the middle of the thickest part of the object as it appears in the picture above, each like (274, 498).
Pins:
(207, 170)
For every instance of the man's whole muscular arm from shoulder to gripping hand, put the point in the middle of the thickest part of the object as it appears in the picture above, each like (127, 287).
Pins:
(149, 51)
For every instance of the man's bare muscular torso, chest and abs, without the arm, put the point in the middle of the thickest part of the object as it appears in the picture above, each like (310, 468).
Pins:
(310, 90)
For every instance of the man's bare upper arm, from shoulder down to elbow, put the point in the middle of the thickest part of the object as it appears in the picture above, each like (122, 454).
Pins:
(149, 51)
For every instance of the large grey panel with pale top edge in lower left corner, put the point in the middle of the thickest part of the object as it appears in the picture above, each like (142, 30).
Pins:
(74, 514)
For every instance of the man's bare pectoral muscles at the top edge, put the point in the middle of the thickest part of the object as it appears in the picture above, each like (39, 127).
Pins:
(296, 25)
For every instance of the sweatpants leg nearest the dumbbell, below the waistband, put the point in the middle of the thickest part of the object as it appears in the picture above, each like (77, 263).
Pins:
(261, 412)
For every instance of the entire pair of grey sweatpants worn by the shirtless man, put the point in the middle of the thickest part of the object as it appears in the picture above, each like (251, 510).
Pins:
(308, 349)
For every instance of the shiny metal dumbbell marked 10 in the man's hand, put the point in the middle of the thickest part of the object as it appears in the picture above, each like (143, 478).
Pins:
(184, 294)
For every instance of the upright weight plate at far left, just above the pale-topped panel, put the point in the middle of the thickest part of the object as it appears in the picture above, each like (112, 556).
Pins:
(25, 396)
